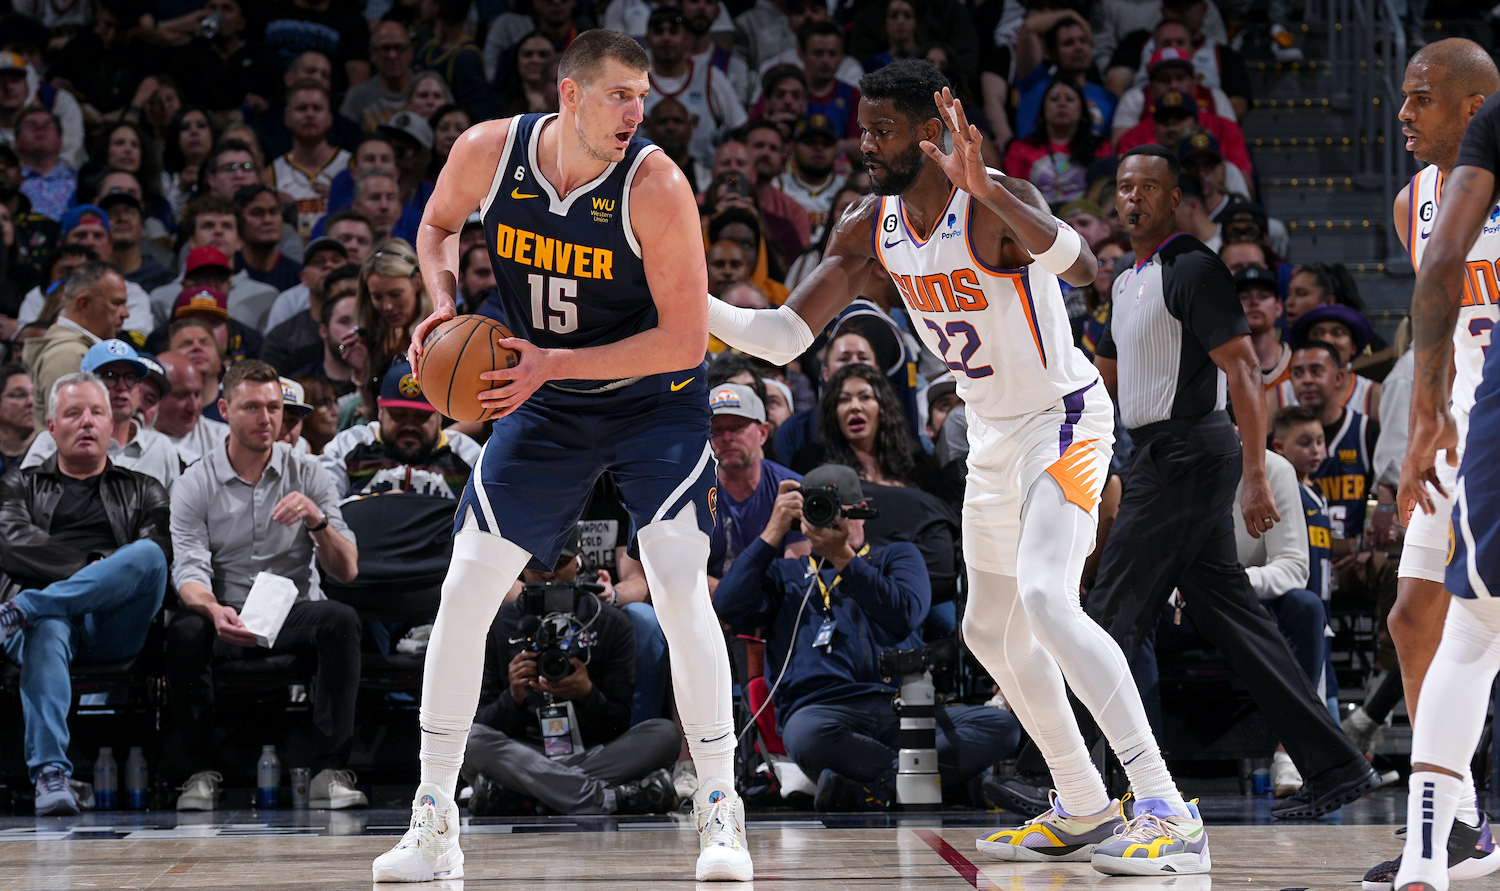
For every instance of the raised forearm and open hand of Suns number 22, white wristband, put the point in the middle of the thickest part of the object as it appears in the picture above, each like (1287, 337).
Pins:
(1051, 242)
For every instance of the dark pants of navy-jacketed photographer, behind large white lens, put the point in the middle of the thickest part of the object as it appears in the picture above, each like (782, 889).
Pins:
(860, 739)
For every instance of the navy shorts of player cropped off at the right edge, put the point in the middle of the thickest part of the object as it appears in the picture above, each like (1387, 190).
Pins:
(1474, 539)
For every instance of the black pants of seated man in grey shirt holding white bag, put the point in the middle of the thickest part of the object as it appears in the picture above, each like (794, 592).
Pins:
(331, 631)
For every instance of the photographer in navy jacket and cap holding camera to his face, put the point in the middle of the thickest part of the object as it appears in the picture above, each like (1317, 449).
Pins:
(827, 619)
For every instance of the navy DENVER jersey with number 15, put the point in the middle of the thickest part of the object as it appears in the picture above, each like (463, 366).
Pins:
(568, 271)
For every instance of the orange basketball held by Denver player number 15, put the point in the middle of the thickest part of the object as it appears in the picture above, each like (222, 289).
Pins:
(454, 358)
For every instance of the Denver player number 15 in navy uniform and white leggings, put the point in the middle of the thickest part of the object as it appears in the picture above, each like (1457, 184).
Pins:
(601, 274)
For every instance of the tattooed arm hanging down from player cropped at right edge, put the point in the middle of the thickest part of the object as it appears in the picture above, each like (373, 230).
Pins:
(1468, 202)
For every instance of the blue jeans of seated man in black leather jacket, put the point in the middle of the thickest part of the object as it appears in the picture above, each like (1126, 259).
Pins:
(101, 614)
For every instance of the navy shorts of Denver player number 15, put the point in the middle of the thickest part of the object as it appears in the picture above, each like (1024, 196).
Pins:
(542, 461)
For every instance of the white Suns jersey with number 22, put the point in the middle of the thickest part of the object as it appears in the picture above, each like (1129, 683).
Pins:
(1004, 332)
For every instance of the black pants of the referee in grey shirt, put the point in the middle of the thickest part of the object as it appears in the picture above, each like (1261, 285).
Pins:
(1175, 530)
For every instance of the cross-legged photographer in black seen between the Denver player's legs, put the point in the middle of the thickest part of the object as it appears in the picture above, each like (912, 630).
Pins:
(560, 673)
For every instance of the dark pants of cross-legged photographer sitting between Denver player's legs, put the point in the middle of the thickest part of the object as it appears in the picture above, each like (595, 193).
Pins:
(578, 784)
